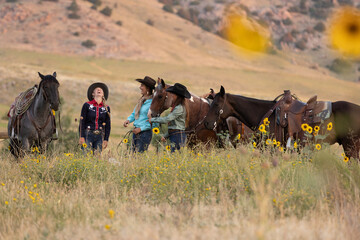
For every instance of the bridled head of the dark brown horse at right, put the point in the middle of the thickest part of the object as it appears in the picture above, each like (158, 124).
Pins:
(219, 110)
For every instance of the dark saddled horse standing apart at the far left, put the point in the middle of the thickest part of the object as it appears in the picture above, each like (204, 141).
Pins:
(34, 125)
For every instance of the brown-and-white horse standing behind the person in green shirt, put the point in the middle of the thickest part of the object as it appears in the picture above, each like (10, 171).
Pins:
(197, 108)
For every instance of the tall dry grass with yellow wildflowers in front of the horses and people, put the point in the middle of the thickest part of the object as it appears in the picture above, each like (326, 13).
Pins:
(208, 194)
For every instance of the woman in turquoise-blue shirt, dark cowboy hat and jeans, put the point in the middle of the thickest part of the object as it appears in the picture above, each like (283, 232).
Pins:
(142, 132)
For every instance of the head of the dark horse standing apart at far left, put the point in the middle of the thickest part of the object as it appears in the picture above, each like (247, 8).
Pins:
(49, 88)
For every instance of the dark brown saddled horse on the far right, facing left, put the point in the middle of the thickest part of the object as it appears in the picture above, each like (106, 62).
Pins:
(345, 117)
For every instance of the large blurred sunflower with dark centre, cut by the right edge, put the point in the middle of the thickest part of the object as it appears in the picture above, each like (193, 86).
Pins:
(345, 31)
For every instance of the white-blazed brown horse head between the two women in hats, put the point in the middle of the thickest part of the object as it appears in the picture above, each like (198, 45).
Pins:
(161, 99)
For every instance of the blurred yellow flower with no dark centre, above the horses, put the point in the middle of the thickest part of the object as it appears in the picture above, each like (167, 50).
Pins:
(246, 33)
